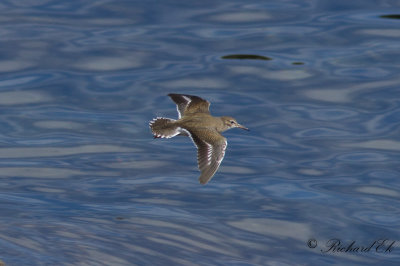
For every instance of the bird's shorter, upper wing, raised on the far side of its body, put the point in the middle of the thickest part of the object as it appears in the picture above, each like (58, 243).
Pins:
(186, 104)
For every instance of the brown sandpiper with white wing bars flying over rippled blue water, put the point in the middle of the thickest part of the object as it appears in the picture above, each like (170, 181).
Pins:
(196, 122)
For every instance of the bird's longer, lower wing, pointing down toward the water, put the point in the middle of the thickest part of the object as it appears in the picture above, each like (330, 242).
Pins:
(211, 148)
